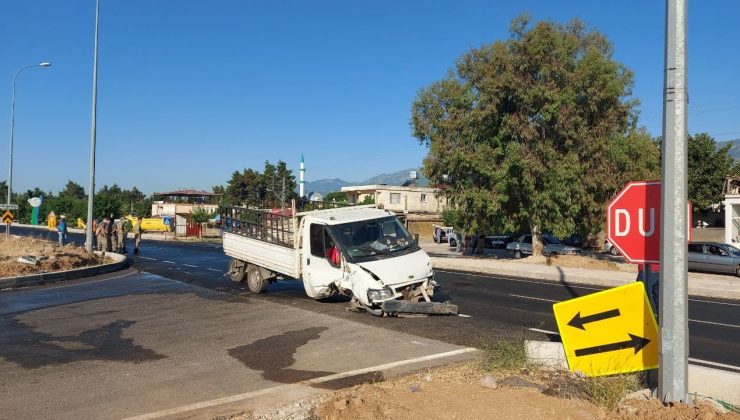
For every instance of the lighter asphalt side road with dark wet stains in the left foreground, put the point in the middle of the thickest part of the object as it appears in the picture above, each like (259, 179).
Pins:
(133, 344)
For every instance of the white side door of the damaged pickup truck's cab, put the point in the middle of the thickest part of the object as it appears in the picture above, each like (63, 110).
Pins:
(322, 265)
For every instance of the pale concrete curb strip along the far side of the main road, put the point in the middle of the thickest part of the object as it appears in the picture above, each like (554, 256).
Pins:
(723, 289)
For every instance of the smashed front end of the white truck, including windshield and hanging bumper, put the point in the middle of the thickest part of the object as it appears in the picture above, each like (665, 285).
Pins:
(385, 269)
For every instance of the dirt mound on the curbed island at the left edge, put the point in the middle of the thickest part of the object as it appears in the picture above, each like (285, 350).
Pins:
(50, 256)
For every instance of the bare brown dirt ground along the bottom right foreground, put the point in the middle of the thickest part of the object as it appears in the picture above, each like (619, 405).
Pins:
(456, 393)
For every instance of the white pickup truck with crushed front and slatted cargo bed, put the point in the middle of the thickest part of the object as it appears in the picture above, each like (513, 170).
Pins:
(362, 252)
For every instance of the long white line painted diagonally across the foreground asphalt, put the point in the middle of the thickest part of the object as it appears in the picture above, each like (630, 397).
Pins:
(248, 395)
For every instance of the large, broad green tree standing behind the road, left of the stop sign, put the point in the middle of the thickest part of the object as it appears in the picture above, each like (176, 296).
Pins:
(522, 132)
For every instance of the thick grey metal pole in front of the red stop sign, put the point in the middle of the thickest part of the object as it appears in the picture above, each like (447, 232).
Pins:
(674, 337)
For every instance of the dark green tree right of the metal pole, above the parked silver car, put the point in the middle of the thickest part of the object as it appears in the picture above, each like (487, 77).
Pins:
(708, 167)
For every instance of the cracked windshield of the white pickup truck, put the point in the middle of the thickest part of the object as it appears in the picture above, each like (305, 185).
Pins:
(373, 239)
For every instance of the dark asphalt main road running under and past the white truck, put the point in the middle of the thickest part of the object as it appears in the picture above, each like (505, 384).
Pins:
(494, 306)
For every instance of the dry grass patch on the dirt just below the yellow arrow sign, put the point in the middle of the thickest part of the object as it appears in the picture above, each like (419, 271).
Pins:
(604, 391)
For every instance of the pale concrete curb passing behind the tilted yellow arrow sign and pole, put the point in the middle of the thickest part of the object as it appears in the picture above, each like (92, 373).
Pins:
(703, 381)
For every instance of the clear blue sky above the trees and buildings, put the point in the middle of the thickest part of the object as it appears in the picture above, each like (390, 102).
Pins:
(189, 92)
